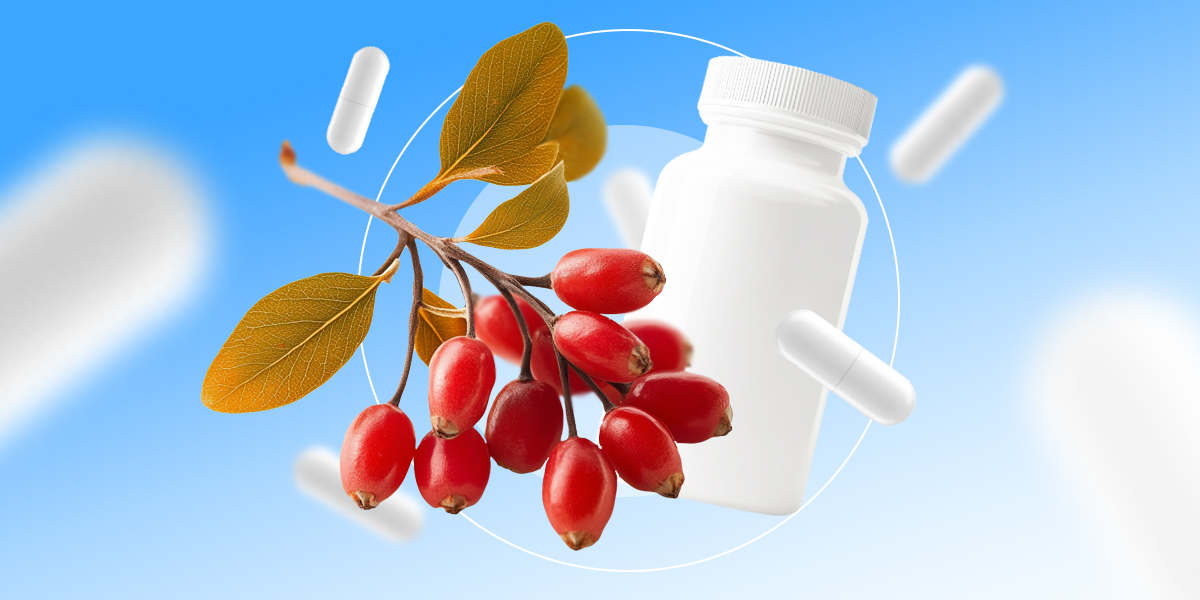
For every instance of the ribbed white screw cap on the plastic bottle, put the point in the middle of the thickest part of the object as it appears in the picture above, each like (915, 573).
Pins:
(812, 97)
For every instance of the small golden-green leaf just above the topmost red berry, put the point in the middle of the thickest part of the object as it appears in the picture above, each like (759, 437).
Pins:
(530, 220)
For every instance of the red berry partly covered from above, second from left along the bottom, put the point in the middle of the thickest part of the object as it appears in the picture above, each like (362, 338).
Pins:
(453, 473)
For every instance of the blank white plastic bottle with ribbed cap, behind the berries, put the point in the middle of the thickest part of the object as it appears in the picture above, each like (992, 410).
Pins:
(754, 225)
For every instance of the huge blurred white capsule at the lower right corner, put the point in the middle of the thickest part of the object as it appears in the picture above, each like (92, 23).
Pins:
(1118, 388)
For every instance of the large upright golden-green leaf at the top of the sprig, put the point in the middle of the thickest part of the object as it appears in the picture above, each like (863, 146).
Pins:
(495, 130)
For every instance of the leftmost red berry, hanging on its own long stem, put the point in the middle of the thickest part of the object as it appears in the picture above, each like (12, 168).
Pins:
(376, 453)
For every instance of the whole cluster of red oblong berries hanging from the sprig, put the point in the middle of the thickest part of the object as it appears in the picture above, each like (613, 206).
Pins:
(638, 371)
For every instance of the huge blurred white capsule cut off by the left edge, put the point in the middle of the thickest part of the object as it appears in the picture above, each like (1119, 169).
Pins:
(99, 247)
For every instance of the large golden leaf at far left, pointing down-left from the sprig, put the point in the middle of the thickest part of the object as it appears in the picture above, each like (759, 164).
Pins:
(292, 341)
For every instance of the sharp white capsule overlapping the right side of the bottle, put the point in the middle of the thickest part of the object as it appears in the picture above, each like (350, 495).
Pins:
(844, 367)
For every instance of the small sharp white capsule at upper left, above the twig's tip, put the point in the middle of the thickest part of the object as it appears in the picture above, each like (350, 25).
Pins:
(356, 105)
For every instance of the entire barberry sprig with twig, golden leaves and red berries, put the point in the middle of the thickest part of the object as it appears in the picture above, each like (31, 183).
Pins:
(513, 124)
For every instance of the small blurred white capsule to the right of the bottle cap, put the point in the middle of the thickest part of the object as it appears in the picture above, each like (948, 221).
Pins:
(947, 124)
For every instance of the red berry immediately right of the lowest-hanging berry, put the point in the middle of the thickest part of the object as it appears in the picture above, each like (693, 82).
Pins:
(643, 451)
